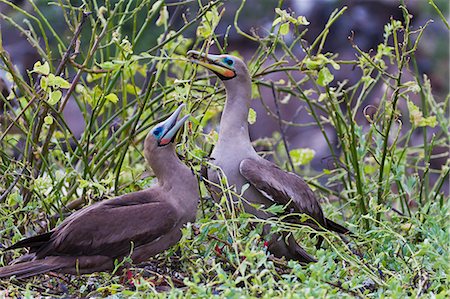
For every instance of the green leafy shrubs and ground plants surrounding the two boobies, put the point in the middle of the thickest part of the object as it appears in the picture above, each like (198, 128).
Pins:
(387, 192)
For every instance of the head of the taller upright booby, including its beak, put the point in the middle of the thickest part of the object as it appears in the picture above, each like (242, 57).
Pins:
(226, 67)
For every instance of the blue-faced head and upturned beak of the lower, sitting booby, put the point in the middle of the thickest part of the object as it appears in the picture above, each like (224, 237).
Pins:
(164, 132)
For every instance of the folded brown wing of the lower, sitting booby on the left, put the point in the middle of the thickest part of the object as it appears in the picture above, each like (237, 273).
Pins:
(109, 227)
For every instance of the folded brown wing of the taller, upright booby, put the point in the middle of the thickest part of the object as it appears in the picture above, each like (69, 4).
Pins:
(282, 187)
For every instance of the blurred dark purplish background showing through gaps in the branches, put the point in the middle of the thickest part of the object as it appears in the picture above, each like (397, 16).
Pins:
(364, 20)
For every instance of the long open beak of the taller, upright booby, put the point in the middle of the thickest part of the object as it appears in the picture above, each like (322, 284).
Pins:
(212, 62)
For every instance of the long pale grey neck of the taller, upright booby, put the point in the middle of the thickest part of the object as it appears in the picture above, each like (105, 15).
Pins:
(234, 120)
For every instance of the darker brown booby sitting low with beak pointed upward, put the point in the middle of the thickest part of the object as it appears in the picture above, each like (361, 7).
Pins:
(141, 223)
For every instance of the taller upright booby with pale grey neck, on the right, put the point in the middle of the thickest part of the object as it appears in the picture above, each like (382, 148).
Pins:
(236, 157)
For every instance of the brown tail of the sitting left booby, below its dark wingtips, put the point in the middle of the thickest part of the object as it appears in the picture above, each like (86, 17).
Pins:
(31, 268)
